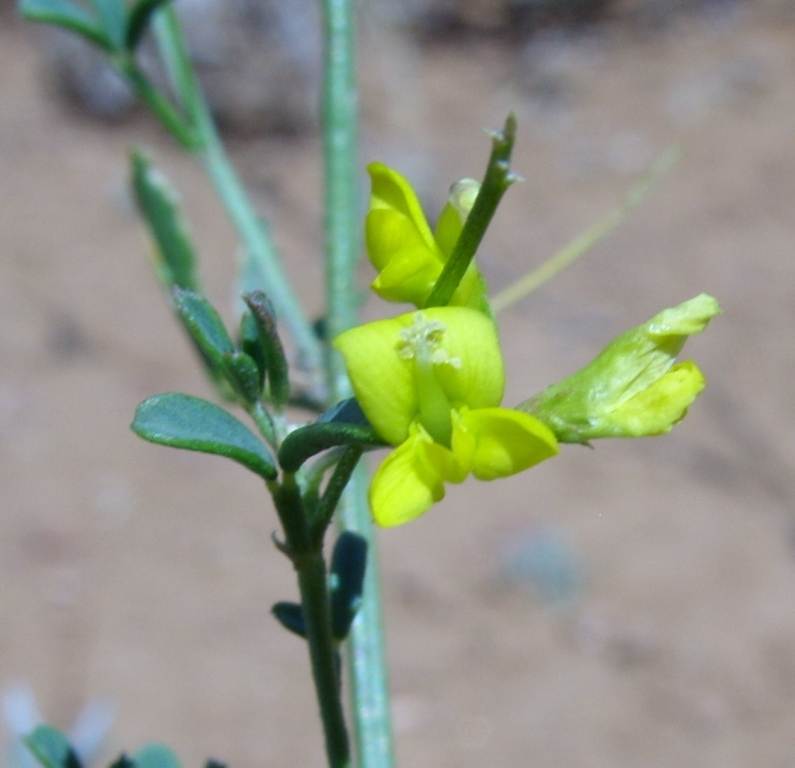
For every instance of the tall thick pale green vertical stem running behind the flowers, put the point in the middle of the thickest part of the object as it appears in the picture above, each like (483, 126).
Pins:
(366, 655)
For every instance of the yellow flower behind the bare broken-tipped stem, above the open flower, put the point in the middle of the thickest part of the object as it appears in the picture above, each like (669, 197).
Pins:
(408, 255)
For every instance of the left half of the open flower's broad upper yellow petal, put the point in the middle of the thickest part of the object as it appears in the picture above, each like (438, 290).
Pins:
(382, 380)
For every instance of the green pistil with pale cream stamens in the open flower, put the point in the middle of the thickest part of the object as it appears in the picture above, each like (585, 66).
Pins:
(422, 343)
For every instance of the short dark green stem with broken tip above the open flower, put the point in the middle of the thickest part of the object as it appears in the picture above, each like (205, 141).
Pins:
(496, 181)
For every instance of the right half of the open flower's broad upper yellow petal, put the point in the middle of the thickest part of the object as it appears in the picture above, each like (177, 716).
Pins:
(470, 338)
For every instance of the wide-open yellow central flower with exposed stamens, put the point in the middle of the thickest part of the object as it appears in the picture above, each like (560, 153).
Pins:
(430, 383)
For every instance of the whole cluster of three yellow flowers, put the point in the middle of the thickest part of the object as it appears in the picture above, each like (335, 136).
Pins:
(431, 381)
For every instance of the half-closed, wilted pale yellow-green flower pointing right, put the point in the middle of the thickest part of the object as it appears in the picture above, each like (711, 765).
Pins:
(633, 388)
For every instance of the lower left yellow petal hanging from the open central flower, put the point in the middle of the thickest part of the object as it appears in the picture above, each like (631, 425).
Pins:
(405, 485)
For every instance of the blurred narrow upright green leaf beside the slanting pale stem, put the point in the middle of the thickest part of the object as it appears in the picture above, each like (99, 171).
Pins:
(158, 203)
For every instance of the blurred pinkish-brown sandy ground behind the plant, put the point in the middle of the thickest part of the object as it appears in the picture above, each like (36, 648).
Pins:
(144, 576)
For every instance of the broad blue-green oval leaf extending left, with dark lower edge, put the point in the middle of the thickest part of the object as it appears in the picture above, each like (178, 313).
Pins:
(183, 421)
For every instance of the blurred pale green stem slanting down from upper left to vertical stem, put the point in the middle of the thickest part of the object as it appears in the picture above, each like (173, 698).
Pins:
(252, 230)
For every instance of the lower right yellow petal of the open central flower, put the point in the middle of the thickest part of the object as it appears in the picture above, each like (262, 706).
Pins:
(498, 442)
